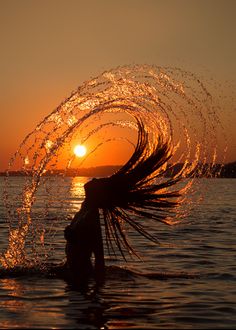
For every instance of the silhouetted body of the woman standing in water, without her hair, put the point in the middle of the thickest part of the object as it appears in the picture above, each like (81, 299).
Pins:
(84, 238)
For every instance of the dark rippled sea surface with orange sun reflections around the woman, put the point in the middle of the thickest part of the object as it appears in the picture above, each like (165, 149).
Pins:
(196, 261)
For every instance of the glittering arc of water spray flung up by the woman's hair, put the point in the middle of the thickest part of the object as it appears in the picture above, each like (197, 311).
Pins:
(172, 103)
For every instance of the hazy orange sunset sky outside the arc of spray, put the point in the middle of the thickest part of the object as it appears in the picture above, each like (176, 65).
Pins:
(49, 47)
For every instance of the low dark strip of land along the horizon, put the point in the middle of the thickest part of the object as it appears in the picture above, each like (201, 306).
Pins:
(221, 171)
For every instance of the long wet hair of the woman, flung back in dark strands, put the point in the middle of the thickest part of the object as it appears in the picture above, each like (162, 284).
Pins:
(136, 192)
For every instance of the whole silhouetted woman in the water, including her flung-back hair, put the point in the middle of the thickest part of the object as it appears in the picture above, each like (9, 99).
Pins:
(127, 197)
